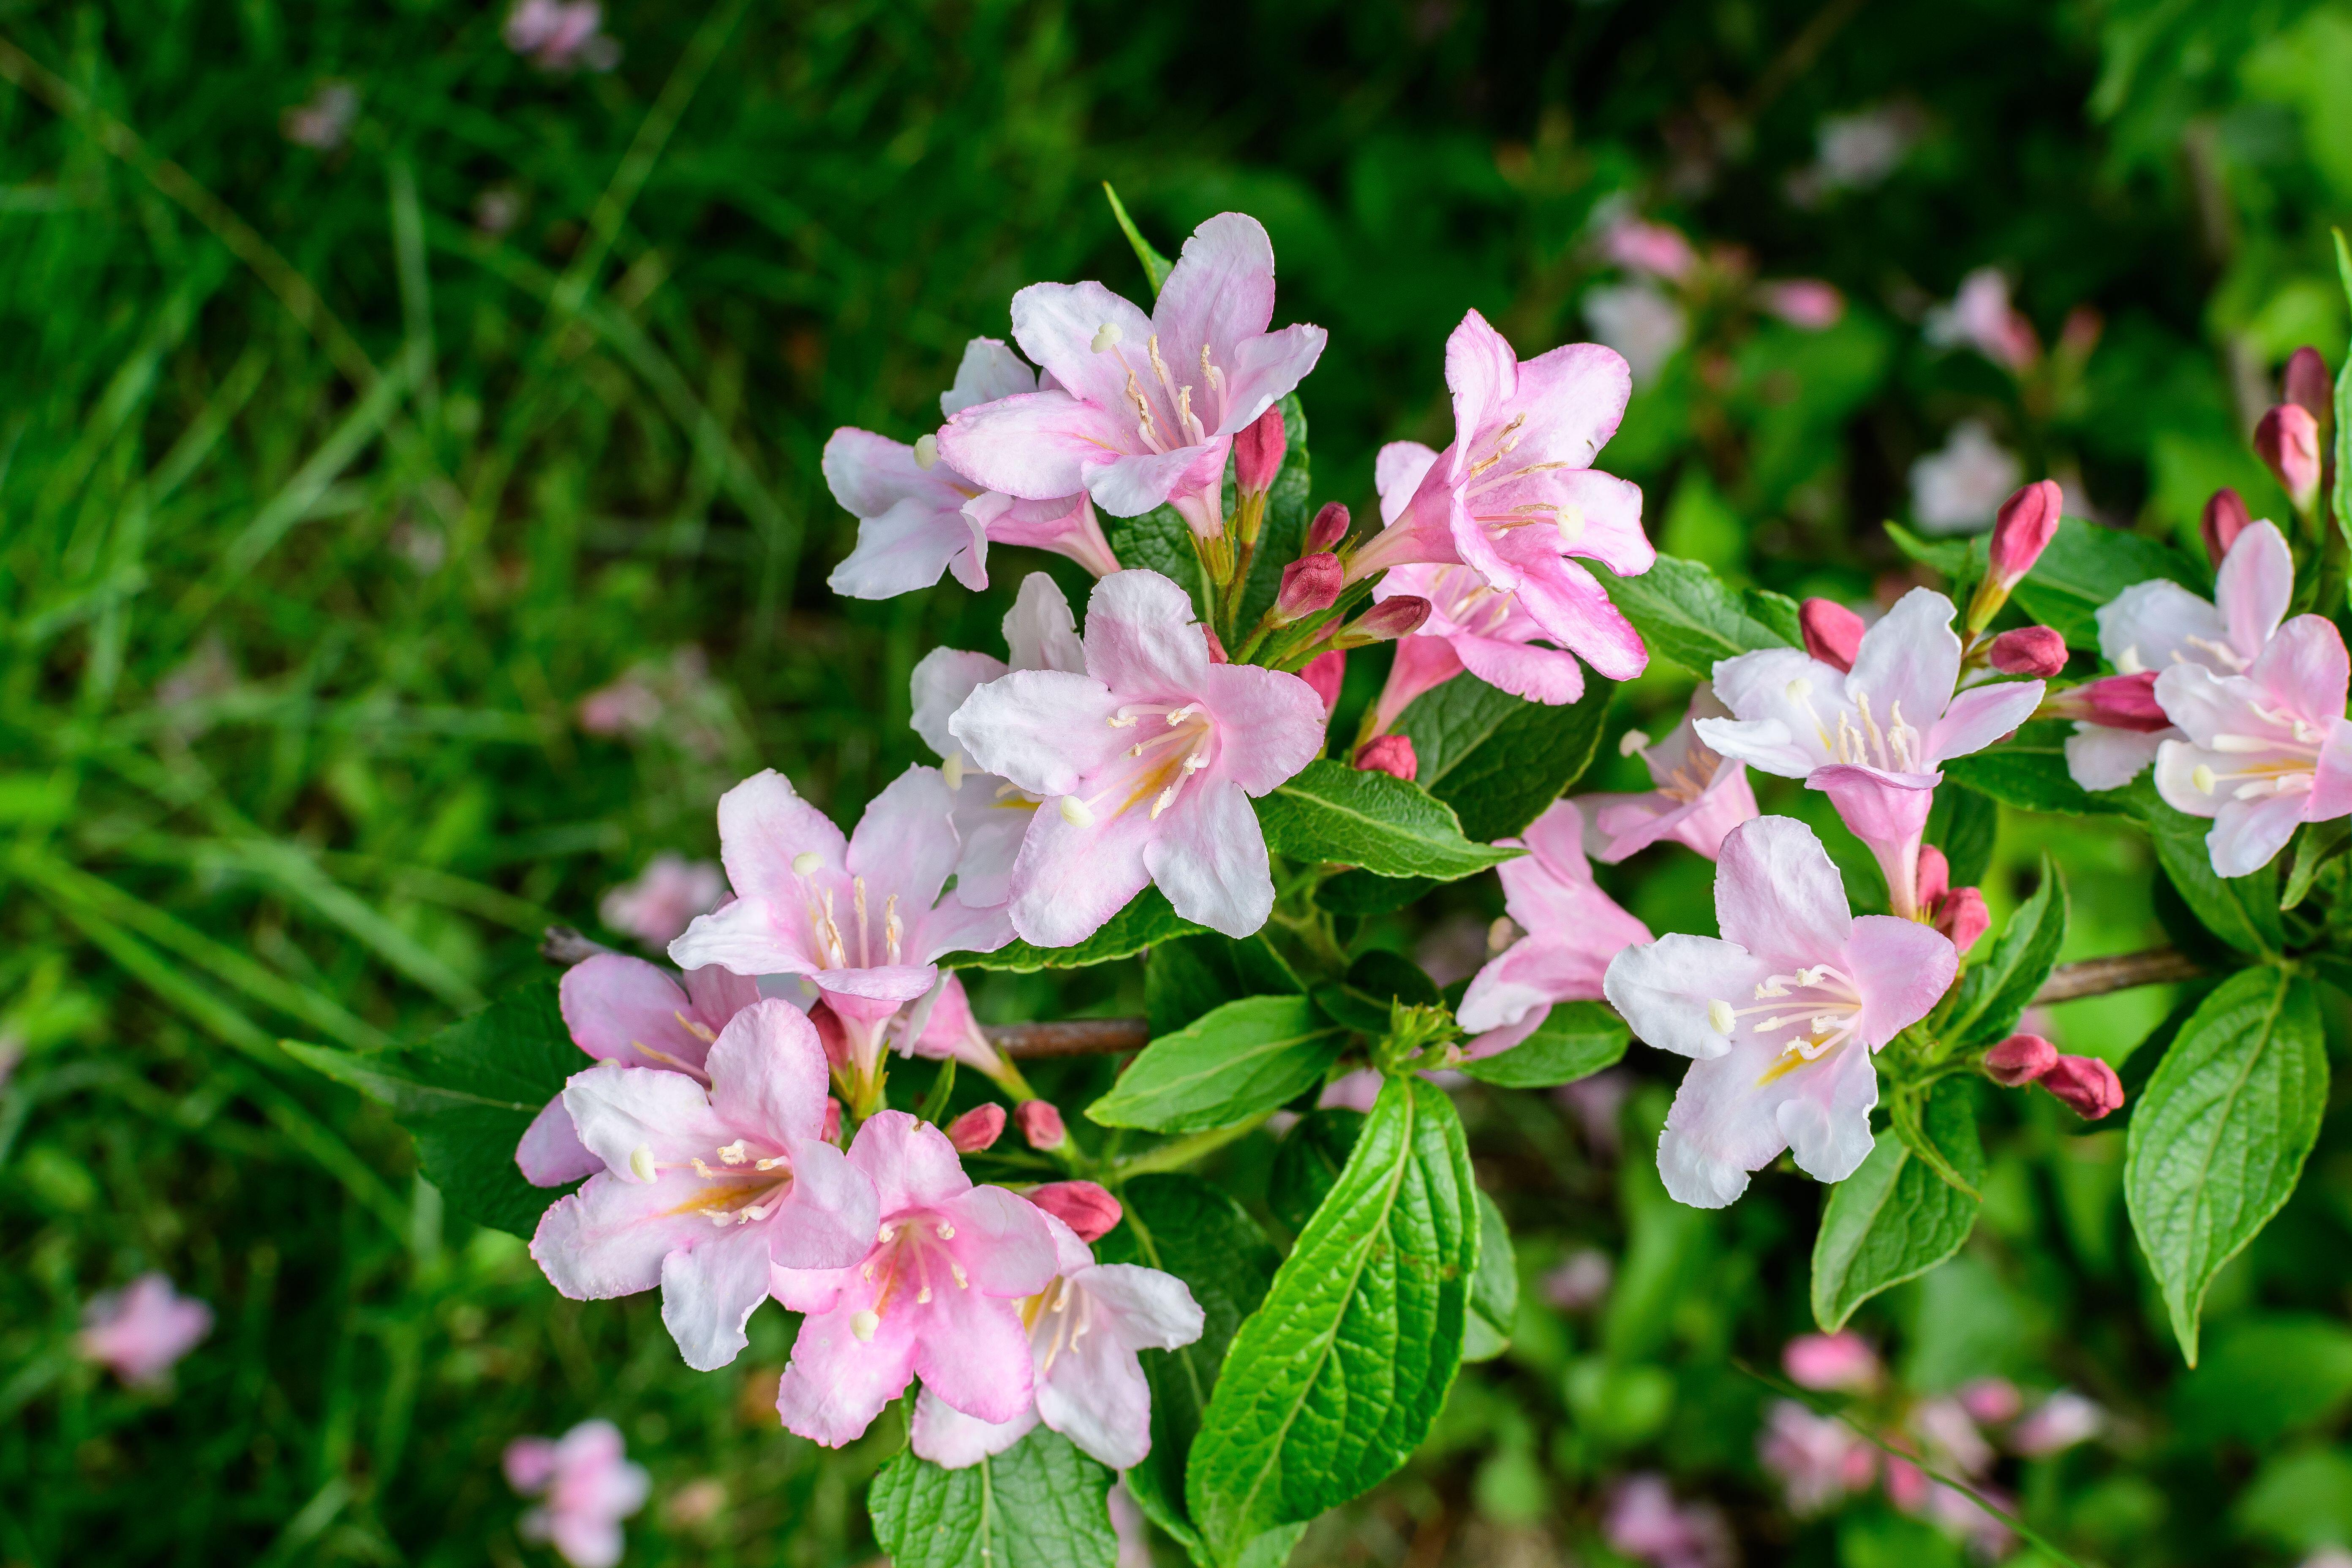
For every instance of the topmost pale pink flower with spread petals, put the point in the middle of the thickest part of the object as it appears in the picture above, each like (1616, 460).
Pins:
(1144, 408)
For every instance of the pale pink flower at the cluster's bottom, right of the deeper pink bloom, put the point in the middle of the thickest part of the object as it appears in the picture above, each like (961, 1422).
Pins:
(1085, 1332)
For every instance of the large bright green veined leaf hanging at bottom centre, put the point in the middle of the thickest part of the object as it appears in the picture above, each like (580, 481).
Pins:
(1337, 1379)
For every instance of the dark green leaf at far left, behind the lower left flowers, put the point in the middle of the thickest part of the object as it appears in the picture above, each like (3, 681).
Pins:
(467, 1099)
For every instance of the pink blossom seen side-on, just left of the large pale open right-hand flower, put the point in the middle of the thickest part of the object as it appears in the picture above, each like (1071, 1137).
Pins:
(1572, 932)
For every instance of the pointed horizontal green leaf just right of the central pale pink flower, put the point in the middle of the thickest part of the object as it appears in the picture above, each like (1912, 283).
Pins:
(1351, 817)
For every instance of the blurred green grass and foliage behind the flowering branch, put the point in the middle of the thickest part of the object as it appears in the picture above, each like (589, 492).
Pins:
(370, 396)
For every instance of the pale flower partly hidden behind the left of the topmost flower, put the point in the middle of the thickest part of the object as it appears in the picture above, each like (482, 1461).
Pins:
(921, 516)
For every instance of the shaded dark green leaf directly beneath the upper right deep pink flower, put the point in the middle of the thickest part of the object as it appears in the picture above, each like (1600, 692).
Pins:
(1499, 760)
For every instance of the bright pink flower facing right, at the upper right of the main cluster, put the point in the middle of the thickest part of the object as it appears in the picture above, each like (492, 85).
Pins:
(1516, 495)
